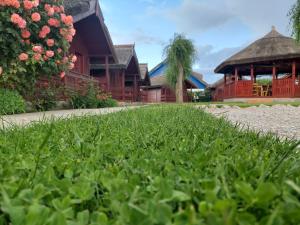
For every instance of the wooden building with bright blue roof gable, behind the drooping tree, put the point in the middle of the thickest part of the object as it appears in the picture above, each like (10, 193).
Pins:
(159, 89)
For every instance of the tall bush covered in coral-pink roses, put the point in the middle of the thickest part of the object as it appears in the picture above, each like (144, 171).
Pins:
(35, 37)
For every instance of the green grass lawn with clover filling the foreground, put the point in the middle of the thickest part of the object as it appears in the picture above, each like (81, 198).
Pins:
(157, 165)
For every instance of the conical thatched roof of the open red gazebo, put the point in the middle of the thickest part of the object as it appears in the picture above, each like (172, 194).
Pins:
(273, 46)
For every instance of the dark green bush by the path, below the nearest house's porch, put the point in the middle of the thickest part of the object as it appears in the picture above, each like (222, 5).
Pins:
(94, 98)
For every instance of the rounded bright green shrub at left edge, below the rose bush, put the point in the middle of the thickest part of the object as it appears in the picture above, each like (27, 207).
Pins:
(11, 102)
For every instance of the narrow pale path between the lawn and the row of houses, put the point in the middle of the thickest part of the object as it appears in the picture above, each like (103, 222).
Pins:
(29, 118)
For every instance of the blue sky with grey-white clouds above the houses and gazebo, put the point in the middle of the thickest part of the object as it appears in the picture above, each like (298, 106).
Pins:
(218, 28)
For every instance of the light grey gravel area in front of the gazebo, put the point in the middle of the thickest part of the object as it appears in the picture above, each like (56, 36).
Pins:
(283, 121)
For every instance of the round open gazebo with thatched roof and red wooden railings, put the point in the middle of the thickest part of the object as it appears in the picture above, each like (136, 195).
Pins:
(273, 55)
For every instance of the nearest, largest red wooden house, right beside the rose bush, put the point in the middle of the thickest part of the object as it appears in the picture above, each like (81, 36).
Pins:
(88, 17)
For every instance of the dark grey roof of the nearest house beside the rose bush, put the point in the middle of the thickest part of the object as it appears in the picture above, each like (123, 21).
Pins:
(81, 9)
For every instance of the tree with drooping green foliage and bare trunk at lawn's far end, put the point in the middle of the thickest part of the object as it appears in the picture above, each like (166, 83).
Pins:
(180, 54)
